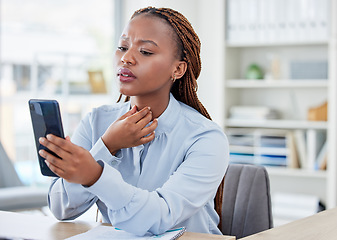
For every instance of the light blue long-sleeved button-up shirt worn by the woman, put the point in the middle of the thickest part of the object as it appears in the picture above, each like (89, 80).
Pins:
(166, 183)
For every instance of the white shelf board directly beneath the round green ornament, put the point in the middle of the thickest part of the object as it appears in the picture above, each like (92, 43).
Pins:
(303, 83)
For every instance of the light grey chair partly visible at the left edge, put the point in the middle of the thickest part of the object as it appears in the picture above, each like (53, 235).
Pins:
(14, 196)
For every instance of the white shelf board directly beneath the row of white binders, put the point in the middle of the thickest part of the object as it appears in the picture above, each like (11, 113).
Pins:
(277, 44)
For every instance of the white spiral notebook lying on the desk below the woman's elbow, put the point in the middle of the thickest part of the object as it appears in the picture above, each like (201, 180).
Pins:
(107, 232)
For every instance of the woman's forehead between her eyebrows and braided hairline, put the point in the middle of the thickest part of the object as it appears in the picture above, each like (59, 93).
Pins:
(144, 27)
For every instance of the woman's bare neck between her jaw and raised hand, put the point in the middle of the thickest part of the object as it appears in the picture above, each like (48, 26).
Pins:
(157, 104)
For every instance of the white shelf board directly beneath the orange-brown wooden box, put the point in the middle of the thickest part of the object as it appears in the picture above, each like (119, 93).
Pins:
(277, 124)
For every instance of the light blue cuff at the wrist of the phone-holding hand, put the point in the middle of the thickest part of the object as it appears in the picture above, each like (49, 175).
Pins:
(111, 189)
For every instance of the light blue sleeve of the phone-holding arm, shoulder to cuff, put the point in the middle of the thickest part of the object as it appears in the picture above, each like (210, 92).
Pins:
(190, 188)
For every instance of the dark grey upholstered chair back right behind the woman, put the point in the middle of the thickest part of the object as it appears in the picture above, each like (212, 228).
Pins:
(246, 203)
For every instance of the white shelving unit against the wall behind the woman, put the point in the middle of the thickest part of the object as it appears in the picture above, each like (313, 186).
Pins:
(290, 97)
